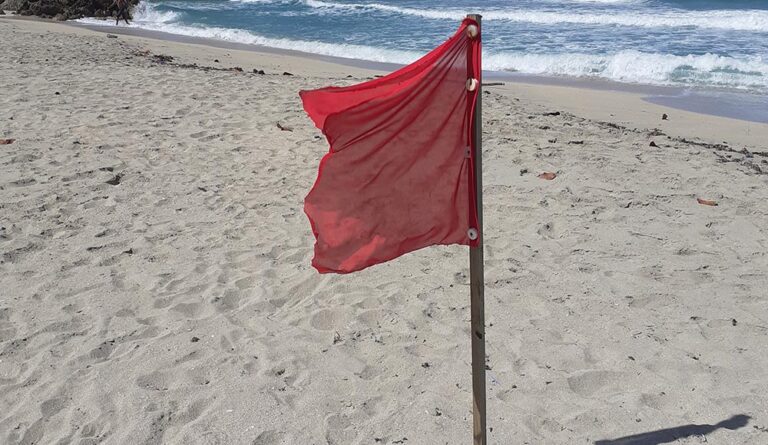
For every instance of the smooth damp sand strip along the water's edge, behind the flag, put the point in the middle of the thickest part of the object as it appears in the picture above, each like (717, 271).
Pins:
(635, 107)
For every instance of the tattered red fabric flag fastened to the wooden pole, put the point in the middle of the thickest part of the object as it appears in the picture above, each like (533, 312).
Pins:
(399, 173)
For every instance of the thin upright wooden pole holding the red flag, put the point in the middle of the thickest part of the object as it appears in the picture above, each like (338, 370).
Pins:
(476, 277)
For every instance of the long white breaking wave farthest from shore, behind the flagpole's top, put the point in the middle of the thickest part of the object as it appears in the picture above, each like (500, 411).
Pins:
(749, 20)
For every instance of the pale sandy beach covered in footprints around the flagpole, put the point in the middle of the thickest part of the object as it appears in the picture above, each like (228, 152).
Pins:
(156, 288)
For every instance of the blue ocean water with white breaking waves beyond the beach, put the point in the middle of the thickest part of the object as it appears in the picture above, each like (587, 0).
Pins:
(698, 44)
